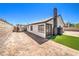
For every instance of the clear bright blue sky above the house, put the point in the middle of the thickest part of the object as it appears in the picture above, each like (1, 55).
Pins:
(26, 13)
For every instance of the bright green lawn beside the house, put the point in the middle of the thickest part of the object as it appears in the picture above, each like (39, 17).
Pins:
(70, 41)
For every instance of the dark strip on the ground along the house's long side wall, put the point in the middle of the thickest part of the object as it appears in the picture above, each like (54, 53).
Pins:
(37, 38)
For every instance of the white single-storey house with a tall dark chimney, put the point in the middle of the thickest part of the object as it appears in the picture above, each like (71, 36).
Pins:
(48, 27)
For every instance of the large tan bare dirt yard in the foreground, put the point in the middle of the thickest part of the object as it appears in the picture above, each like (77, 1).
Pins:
(20, 44)
